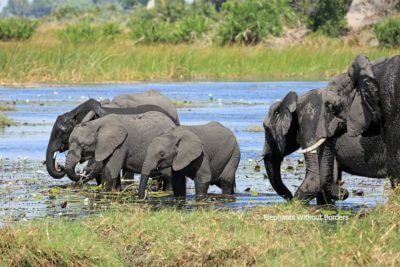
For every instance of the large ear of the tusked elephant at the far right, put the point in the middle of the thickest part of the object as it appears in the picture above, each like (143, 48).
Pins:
(365, 106)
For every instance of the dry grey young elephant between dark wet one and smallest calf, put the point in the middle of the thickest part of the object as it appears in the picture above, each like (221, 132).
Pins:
(116, 142)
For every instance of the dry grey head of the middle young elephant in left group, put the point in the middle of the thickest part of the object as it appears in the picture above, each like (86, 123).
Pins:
(96, 139)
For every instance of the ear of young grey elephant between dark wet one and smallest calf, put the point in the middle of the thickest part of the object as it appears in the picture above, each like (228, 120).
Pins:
(108, 139)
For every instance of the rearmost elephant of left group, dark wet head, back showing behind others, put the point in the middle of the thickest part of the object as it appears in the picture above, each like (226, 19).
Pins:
(91, 109)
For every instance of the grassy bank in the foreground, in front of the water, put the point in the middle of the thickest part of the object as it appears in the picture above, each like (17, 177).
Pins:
(137, 236)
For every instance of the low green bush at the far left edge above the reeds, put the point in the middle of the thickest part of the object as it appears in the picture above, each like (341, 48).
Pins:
(16, 29)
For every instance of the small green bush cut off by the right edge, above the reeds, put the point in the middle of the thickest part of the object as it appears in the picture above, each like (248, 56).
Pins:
(388, 32)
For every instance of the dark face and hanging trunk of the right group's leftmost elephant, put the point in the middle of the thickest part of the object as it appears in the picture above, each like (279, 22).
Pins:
(280, 126)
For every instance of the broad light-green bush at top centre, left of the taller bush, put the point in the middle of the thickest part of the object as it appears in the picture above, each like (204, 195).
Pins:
(172, 22)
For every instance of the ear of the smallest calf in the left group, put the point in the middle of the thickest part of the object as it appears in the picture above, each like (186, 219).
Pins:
(189, 148)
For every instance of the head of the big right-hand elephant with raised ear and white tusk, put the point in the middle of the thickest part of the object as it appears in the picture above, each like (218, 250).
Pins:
(350, 102)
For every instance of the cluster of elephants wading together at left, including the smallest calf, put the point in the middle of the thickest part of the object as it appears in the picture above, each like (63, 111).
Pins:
(141, 133)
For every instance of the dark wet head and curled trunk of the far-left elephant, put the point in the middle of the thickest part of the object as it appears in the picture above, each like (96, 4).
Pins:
(61, 131)
